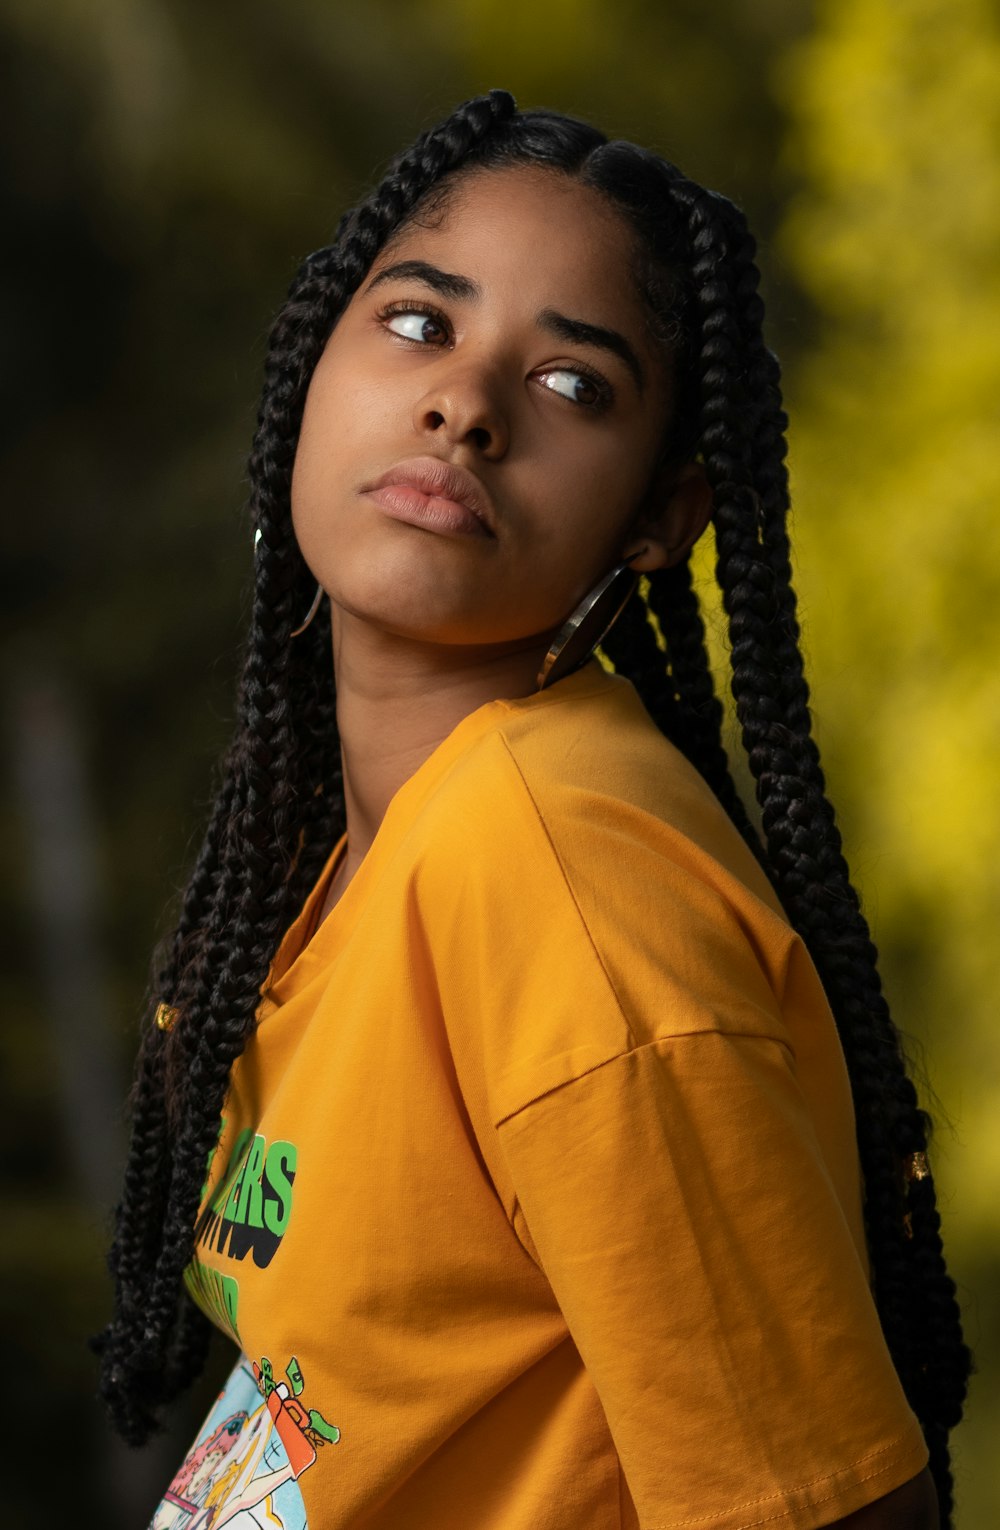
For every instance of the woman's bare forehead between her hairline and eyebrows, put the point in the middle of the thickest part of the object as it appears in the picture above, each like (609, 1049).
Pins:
(528, 233)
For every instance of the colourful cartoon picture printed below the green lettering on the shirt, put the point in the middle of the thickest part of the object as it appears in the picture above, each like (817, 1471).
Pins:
(245, 1465)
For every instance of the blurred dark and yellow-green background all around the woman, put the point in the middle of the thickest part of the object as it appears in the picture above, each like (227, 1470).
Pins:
(164, 168)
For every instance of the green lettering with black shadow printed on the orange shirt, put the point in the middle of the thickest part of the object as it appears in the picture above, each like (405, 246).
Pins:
(248, 1214)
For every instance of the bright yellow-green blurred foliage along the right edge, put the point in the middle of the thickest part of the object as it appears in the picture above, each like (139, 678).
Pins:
(897, 477)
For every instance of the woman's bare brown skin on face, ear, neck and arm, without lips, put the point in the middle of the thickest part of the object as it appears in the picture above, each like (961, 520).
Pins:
(563, 434)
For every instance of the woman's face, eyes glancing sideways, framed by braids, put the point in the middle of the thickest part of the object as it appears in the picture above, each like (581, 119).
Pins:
(504, 340)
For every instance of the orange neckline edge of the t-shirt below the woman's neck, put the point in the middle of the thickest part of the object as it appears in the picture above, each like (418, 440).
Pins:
(305, 942)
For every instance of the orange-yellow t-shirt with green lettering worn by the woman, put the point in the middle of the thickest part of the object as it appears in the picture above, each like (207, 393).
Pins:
(537, 1197)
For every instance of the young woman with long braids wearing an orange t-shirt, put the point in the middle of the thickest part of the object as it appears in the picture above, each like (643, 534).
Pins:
(536, 1130)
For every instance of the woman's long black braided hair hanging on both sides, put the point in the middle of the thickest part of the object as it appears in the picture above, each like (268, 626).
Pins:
(281, 806)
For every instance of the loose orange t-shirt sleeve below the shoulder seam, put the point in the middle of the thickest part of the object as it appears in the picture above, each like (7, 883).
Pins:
(684, 1216)
